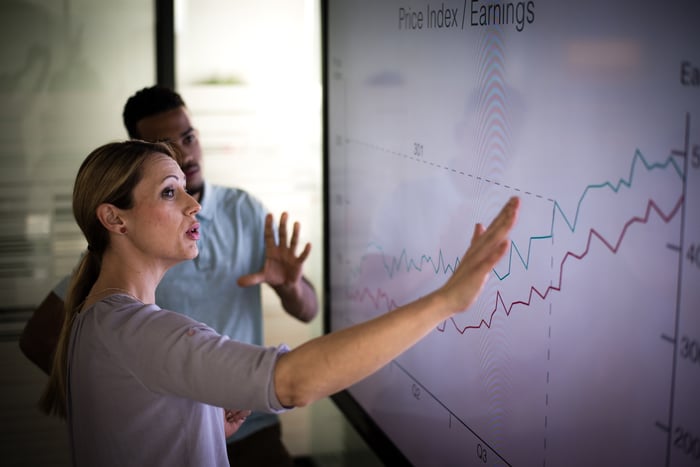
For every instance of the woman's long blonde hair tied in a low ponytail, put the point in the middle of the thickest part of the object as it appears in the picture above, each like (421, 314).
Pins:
(109, 174)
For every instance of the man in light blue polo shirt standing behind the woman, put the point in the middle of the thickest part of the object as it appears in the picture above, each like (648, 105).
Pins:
(220, 287)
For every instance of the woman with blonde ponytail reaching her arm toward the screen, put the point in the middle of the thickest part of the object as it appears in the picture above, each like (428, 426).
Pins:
(144, 386)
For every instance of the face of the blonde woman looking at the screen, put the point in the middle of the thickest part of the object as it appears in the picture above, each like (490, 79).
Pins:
(162, 222)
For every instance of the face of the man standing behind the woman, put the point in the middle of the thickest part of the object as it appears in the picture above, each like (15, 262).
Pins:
(173, 126)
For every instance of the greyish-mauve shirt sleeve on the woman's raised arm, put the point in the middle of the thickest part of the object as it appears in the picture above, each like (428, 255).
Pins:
(172, 354)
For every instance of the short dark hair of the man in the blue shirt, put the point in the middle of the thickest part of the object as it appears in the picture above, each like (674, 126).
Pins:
(146, 102)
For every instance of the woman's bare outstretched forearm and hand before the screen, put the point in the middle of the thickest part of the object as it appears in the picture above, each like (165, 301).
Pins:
(330, 363)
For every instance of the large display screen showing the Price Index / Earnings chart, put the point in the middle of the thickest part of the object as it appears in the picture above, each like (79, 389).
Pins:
(584, 348)
